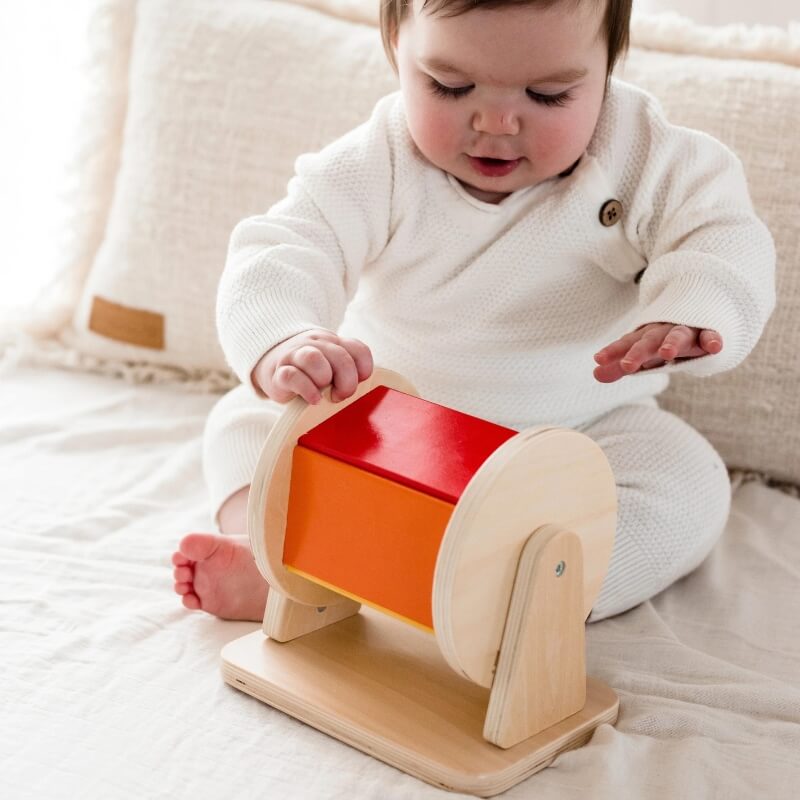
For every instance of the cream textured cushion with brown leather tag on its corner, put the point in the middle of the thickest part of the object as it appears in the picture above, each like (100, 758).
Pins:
(223, 97)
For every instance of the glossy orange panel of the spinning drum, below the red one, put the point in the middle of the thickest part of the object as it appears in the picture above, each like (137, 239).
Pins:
(364, 535)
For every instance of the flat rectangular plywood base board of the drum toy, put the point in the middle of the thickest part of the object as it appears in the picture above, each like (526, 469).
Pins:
(384, 688)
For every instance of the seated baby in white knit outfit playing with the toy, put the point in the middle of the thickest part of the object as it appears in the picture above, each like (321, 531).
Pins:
(526, 239)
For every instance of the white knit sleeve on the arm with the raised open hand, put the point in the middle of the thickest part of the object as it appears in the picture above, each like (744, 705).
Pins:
(710, 260)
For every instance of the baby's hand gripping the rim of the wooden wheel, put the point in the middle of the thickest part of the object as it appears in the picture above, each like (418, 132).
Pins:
(308, 362)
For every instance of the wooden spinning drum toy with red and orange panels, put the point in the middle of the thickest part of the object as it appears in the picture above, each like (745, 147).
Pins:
(492, 544)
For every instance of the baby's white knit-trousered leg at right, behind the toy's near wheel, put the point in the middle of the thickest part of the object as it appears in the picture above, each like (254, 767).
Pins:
(673, 495)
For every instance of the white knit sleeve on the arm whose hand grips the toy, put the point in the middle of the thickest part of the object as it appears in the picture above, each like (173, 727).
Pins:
(297, 266)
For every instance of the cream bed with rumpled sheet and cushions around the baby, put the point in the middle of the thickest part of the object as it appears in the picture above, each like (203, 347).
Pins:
(111, 688)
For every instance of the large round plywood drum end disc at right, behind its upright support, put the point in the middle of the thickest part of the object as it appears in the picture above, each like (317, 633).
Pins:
(543, 475)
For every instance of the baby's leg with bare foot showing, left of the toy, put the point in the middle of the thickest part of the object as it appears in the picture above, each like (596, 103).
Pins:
(217, 573)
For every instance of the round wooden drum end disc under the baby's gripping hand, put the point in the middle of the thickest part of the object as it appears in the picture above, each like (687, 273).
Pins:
(268, 502)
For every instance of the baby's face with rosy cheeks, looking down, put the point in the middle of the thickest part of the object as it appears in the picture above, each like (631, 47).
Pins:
(517, 83)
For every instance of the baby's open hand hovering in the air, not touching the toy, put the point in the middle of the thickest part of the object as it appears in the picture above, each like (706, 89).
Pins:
(652, 345)
